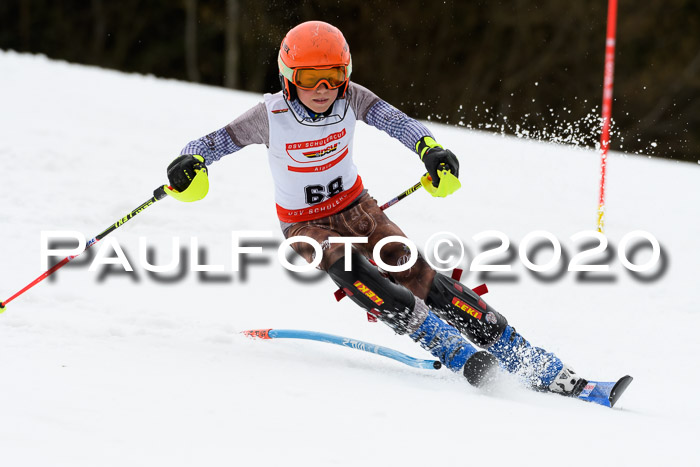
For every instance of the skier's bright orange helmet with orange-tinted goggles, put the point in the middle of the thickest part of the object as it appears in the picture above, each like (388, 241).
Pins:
(311, 54)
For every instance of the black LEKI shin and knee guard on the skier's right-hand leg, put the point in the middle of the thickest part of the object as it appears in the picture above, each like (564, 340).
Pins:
(466, 310)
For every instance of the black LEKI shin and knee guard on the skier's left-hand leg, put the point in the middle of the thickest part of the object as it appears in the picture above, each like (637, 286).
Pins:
(376, 293)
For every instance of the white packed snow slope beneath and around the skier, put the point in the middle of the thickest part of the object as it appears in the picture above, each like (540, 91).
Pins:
(117, 368)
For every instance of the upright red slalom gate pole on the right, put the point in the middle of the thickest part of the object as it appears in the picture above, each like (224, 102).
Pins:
(607, 105)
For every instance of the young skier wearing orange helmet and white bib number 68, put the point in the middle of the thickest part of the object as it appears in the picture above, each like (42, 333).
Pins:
(308, 128)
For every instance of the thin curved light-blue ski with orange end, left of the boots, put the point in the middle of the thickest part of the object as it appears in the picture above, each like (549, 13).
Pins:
(344, 341)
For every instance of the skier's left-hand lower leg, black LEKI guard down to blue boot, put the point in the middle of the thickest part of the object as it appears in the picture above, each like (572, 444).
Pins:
(397, 307)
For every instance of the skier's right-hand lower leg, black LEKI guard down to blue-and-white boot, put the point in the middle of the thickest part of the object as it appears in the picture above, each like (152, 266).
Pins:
(487, 328)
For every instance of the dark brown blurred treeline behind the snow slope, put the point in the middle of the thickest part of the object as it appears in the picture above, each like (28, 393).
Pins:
(531, 67)
